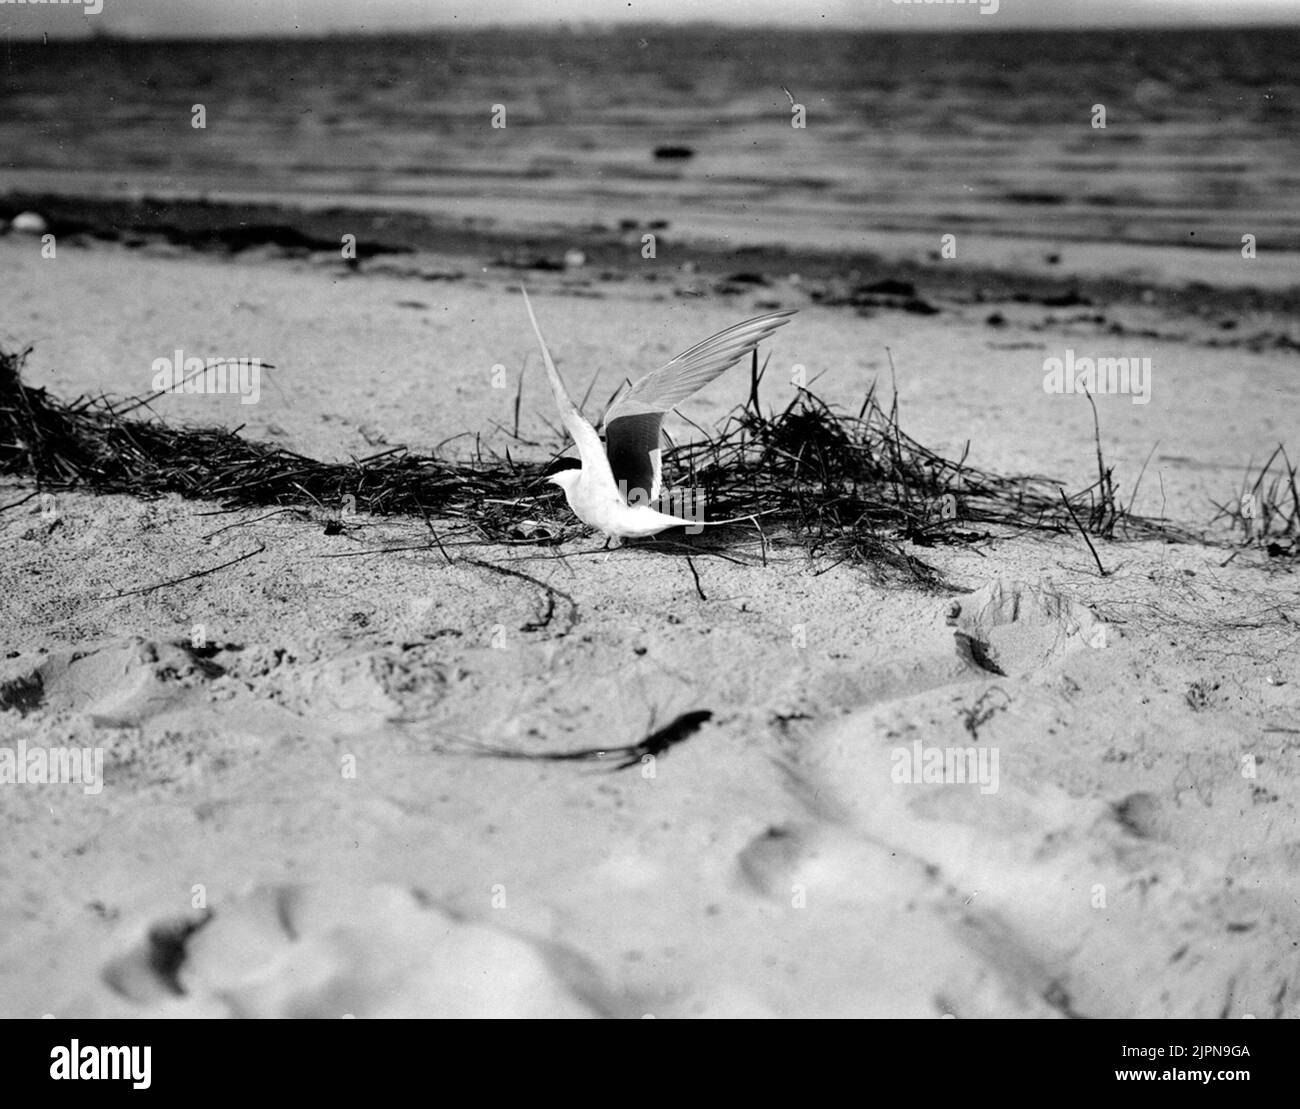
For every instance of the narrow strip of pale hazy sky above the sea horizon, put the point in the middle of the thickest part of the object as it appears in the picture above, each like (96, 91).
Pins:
(223, 18)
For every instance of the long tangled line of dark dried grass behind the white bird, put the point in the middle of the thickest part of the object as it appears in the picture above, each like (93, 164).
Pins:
(844, 488)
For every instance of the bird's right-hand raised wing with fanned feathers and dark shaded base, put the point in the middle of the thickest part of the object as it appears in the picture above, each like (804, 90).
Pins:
(635, 422)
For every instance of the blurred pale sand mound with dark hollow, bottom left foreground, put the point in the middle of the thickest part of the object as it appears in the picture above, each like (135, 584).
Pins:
(331, 952)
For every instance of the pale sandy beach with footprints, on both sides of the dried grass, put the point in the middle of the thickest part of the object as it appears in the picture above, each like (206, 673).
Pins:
(293, 804)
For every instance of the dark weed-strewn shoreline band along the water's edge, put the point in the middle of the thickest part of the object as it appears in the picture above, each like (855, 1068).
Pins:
(392, 233)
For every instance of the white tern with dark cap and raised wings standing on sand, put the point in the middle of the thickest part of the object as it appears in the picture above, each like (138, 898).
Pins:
(616, 483)
